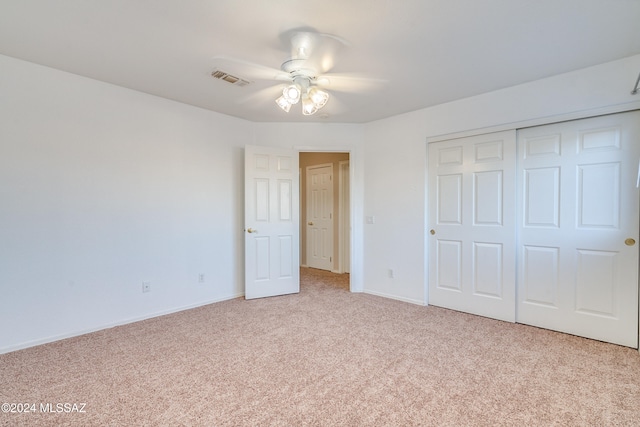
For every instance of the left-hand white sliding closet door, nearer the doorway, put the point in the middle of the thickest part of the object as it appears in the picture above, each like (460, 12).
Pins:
(472, 222)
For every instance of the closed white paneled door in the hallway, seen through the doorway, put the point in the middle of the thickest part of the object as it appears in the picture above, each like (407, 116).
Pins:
(320, 217)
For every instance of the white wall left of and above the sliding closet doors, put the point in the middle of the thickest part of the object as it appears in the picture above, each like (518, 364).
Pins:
(395, 159)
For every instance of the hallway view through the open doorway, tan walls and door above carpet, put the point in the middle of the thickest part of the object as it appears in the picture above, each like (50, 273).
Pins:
(325, 211)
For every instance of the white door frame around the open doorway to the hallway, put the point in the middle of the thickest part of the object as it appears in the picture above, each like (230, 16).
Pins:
(356, 192)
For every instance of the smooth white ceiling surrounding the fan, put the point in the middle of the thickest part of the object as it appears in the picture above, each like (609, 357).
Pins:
(420, 52)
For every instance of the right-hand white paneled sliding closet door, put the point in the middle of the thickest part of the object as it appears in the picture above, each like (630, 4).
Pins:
(578, 207)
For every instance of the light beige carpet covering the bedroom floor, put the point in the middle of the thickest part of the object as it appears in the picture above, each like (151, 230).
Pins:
(325, 357)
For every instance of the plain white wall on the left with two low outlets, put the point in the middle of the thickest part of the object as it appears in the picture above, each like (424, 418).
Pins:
(102, 188)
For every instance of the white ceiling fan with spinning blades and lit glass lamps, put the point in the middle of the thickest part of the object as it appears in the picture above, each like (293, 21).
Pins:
(305, 73)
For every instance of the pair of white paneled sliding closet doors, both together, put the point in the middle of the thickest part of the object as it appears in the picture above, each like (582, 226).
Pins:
(566, 258)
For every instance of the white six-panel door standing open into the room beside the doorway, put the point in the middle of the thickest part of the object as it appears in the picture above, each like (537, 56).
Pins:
(272, 248)
